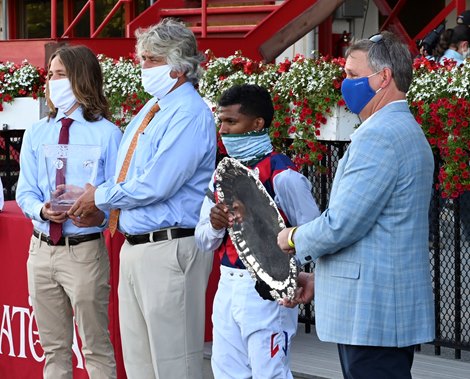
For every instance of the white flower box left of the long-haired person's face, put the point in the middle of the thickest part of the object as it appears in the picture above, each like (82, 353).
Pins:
(20, 114)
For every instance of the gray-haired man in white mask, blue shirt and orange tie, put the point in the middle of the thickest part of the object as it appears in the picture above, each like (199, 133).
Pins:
(164, 163)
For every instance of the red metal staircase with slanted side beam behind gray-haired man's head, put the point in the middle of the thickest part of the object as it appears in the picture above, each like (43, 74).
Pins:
(261, 29)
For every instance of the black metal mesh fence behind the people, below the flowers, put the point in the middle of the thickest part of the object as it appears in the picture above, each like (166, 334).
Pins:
(449, 242)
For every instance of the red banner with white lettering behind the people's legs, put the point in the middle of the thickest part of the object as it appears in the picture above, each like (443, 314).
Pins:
(21, 355)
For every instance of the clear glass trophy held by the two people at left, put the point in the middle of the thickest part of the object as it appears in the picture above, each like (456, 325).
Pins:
(69, 168)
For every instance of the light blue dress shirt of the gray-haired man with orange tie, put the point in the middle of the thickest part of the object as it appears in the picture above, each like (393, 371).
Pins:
(171, 166)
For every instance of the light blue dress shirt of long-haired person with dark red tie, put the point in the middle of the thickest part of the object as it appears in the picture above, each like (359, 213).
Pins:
(33, 187)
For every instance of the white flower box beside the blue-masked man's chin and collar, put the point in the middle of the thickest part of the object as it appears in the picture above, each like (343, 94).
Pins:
(339, 126)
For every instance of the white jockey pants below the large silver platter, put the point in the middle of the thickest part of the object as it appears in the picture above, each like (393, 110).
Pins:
(251, 336)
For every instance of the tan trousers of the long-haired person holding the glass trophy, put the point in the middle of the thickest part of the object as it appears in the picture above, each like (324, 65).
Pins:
(67, 281)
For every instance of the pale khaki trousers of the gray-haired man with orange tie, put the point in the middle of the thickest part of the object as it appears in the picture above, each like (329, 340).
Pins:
(162, 287)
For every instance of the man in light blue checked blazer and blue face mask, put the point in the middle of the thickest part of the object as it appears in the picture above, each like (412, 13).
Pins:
(373, 293)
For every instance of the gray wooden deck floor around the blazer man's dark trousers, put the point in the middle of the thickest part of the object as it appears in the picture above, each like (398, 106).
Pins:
(313, 359)
